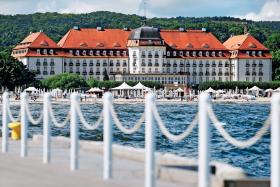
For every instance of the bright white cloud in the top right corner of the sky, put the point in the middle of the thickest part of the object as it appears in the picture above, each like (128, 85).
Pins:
(269, 12)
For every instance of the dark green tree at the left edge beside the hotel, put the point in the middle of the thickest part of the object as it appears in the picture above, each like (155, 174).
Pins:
(13, 73)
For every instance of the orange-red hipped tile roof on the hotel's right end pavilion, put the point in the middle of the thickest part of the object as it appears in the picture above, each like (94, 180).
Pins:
(244, 42)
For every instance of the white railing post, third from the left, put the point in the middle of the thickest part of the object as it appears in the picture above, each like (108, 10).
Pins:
(46, 129)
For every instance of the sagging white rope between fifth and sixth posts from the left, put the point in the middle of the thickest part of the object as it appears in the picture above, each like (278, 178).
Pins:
(125, 130)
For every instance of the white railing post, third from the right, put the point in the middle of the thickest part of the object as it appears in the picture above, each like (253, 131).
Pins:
(149, 142)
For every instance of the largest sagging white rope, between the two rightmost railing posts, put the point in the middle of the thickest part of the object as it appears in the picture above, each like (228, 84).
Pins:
(238, 143)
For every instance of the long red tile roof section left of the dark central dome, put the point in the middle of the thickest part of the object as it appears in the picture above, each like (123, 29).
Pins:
(94, 39)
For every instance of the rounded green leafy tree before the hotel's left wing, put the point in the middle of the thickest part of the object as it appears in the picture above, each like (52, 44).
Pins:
(65, 81)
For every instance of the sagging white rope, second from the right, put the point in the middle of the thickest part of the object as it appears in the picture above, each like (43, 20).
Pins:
(165, 131)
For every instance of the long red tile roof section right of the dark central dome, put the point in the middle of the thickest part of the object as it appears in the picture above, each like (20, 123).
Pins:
(191, 39)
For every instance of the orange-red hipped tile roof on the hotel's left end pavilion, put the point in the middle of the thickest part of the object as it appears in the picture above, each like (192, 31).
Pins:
(37, 40)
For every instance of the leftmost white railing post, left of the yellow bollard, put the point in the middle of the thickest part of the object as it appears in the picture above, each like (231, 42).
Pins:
(5, 121)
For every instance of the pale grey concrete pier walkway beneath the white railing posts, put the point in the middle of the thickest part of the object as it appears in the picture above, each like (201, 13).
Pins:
(31, 172)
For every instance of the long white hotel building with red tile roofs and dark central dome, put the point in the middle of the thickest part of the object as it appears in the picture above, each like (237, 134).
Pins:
(147, 53)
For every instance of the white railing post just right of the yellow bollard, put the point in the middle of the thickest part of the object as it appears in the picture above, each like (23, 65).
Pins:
(24, 125)
